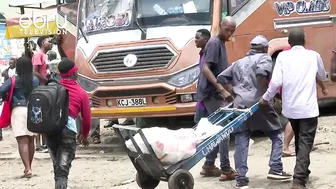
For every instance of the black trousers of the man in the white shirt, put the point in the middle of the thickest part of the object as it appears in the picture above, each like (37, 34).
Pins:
(304, 132)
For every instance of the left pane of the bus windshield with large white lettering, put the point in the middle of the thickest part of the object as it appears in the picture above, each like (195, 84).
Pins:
(100, 15)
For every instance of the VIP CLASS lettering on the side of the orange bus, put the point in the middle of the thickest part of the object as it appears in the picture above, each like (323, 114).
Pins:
(302, 7)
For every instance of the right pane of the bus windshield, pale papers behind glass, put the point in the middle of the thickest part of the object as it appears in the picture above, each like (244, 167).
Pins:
(154, 13)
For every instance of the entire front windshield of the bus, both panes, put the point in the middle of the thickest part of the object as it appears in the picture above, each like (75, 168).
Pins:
(98, 16)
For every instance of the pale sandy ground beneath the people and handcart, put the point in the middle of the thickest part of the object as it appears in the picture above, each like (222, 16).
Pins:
(94, 169)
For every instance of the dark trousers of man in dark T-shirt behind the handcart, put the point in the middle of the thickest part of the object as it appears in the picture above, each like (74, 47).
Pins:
(212, 104)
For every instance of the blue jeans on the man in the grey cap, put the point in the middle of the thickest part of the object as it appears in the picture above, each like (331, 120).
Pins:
(242, 140)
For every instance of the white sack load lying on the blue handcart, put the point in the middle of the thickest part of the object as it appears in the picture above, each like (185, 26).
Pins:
(170, 146)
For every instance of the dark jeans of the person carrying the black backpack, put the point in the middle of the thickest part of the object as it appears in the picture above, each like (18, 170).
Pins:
(62, 150)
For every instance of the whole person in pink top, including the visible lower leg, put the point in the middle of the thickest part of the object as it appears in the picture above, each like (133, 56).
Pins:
(40, 68)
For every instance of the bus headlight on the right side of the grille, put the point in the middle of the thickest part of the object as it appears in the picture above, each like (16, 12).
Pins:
(185, 77)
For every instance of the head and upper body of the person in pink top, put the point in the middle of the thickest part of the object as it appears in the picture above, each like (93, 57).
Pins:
(40, 59)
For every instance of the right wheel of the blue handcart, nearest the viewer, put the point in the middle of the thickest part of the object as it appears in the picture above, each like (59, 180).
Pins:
(181, 179)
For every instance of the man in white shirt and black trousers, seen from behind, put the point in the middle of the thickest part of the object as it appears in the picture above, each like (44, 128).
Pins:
(295, 71)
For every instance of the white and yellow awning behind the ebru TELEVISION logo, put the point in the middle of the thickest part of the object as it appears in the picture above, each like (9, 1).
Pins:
(22, 28)
